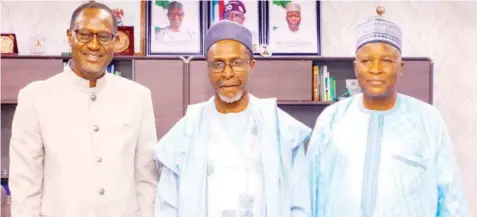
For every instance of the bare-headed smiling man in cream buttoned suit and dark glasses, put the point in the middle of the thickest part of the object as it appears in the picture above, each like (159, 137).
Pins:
(82, 141)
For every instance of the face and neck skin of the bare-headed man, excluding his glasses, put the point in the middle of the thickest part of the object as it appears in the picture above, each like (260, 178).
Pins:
(94, 20)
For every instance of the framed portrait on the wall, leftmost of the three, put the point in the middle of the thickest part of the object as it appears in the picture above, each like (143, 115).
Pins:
(174, 28)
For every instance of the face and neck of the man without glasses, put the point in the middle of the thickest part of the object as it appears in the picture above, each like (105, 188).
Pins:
(378, 67)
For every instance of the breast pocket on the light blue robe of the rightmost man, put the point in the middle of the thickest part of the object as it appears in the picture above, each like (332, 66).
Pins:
(411, 170)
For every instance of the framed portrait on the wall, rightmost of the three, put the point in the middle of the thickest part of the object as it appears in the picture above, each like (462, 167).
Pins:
(293, 27)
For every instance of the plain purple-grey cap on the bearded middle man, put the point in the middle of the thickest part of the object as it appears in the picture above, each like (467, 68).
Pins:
(228, 30)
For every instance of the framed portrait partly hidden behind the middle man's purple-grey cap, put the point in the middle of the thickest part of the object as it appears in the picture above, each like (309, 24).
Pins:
(246, 12)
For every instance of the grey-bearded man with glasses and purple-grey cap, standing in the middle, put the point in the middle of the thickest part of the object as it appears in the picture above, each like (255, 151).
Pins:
(235, 154)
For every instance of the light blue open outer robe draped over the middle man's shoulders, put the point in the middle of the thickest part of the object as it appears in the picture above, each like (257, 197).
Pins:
(182, 154)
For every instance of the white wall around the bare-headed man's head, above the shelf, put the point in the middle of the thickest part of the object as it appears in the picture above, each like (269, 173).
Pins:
(51, 19)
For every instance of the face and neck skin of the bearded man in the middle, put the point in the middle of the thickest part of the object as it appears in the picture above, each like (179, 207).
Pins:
(230, 81)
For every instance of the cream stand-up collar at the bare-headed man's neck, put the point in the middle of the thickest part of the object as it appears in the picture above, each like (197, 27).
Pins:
(81, 83)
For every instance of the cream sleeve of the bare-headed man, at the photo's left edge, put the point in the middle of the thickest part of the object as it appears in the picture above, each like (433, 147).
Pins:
(26, 157)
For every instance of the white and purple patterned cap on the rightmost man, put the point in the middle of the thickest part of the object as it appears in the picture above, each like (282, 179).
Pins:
(378, 29)
